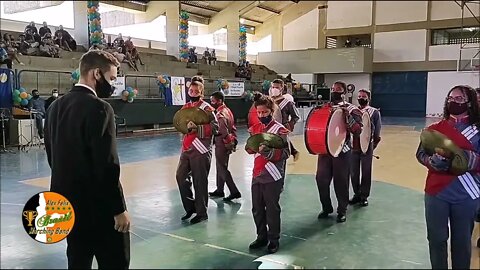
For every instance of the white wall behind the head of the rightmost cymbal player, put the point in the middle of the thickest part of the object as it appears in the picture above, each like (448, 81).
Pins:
(439, 83)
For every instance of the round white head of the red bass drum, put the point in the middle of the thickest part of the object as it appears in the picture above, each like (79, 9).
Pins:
(336, 132)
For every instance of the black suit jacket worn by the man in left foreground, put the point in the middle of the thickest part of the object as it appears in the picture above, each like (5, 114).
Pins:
(82, 153)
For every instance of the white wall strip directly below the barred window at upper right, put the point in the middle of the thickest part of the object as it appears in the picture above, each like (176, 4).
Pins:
(452, 52)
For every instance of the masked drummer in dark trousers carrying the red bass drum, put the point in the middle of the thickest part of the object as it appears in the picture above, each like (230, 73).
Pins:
(329, 167)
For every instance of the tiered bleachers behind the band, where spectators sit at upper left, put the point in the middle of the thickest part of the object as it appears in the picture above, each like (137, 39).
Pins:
(156, 62)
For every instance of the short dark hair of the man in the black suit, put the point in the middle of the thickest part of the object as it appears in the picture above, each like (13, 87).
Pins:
(97, 59)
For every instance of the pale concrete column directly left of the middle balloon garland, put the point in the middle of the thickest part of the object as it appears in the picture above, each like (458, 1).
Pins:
(172, 13)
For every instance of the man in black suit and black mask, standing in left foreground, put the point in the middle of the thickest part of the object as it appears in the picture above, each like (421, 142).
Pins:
(81, 148)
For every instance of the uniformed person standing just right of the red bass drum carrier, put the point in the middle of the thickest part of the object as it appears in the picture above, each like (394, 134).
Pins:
(362, 162)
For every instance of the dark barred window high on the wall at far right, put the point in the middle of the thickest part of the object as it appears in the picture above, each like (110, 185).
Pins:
(456, 36)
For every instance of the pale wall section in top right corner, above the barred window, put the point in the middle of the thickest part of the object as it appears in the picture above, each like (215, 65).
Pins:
(442, 10)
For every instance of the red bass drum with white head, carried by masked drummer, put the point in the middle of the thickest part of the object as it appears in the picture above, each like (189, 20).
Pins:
(325, 130)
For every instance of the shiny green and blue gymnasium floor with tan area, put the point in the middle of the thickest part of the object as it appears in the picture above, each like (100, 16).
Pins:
(389, 233)
